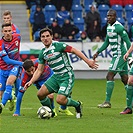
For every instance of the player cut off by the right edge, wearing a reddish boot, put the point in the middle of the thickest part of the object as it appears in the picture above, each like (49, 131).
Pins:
(129, 92)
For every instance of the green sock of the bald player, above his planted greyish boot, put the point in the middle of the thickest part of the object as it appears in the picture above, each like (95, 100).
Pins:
(109, 90)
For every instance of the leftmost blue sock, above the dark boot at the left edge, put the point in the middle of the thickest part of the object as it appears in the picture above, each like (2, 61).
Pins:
(7, 94)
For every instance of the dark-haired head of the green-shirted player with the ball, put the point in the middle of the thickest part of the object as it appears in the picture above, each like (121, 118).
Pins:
(46, 36)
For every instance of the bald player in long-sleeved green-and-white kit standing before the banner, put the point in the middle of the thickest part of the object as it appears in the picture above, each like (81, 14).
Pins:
(116, 37)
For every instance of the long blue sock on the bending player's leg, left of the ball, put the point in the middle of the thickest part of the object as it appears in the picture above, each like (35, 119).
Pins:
(18, 103)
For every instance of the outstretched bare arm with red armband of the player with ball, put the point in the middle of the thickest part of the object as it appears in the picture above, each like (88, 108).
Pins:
(92, 64)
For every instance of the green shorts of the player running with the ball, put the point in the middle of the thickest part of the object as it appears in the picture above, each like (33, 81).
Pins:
(61, 84)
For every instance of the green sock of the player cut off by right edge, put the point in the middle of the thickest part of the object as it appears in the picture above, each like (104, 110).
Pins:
(129, 96)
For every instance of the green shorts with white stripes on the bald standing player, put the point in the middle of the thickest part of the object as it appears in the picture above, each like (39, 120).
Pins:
(118, 65)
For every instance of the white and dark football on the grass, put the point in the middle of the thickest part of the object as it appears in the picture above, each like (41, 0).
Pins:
(44, 112)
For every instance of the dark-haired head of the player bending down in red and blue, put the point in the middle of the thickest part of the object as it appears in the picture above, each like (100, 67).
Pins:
(29, 67)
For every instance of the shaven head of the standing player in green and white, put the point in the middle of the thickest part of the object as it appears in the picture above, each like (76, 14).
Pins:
(111, 16)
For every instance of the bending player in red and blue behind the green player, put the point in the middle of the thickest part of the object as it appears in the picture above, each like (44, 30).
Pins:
(29, 68)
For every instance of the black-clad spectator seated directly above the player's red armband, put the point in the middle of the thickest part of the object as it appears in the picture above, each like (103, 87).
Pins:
(69, 30)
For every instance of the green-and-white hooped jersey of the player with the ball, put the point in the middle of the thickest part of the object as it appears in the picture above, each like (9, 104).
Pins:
(56, 57)
